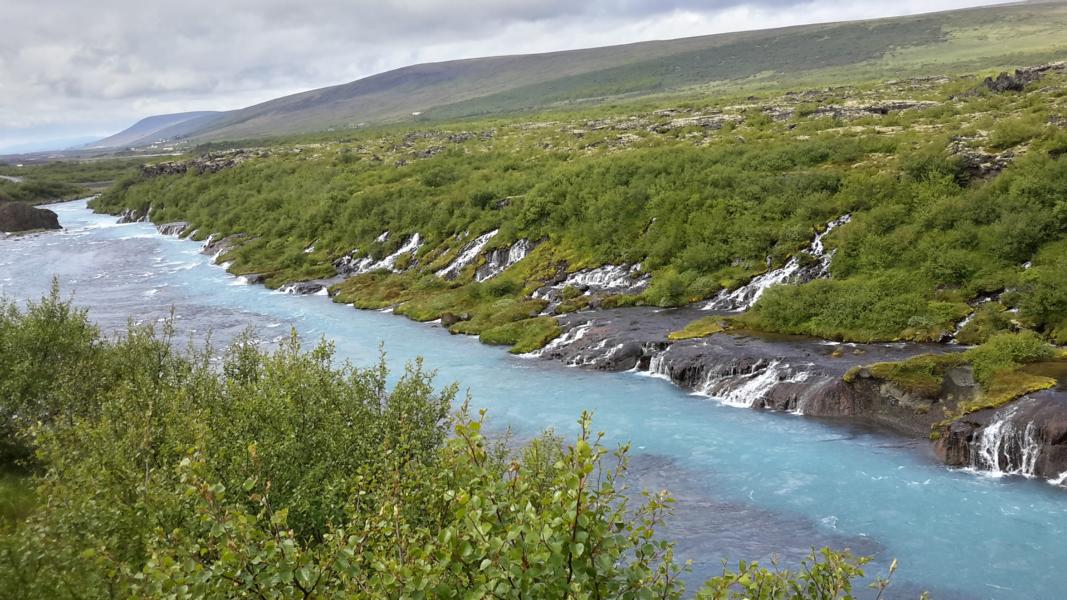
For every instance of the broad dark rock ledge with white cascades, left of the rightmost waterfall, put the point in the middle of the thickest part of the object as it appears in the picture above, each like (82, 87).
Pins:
(758, 371)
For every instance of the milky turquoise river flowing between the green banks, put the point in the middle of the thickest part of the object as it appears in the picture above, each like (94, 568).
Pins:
(750, 484)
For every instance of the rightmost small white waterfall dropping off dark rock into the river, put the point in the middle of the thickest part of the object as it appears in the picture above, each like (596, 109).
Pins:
(1005, 449)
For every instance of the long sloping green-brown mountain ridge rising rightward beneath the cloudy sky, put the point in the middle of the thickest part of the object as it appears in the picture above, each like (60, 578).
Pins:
(818, 55)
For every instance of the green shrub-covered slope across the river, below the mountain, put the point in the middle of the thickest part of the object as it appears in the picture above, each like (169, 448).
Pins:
(704, 195)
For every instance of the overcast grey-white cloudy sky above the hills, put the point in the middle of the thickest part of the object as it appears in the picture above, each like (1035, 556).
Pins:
(92, 68)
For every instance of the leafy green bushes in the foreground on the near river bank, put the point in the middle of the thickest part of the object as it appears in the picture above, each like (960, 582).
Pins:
(139, 470)
